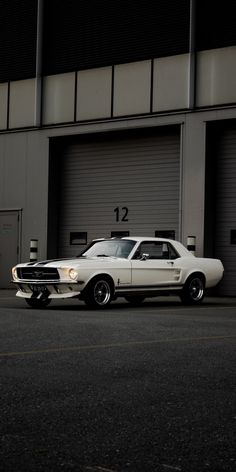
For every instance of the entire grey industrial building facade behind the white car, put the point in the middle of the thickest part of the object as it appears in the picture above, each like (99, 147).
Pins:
(117, 118)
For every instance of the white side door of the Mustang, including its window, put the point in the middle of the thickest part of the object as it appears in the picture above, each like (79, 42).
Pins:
(154, 264)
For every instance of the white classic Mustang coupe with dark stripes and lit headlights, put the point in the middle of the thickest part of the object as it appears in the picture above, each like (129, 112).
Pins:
(130, 267)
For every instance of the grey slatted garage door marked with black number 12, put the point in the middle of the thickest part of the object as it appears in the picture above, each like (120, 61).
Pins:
(119, 186)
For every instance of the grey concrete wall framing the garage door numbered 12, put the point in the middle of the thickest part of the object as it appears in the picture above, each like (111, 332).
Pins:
(24, 174)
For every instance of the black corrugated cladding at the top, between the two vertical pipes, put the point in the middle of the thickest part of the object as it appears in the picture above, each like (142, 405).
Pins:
(82, 34)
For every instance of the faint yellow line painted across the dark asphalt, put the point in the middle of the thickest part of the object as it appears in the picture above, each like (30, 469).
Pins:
(92, 347)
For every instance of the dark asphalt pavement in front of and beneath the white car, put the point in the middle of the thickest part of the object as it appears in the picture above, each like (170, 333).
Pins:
(147, 389)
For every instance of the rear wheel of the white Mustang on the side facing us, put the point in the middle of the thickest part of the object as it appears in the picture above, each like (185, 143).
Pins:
(194, 290)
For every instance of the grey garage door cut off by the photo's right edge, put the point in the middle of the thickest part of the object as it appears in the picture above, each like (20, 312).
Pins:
(226, 208)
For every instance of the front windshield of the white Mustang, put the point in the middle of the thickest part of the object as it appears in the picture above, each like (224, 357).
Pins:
(110, 248)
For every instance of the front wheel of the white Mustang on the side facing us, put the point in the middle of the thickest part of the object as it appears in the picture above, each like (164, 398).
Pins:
(99, 293)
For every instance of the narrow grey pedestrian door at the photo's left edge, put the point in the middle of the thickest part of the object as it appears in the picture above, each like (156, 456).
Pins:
(9, 244)
